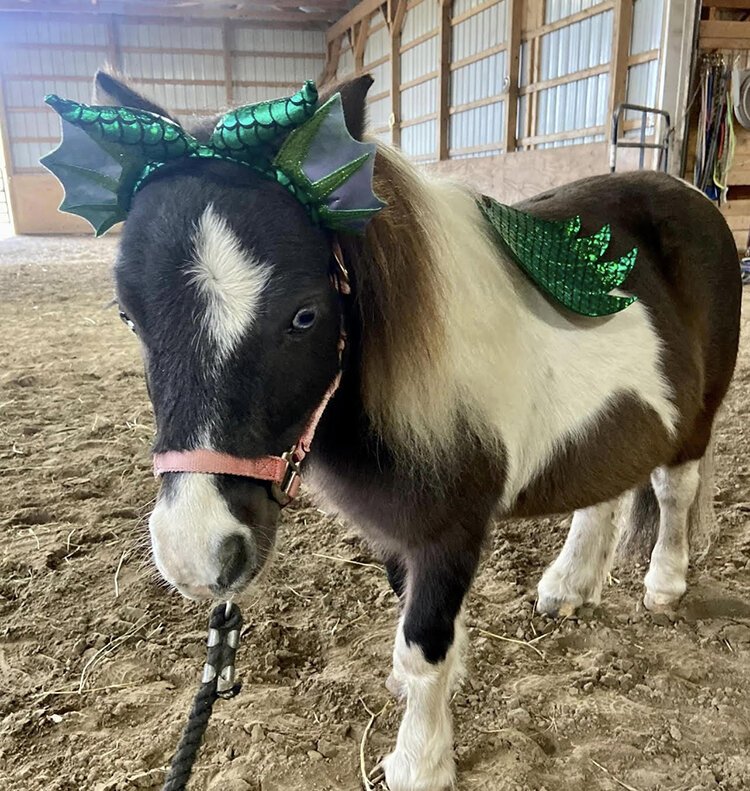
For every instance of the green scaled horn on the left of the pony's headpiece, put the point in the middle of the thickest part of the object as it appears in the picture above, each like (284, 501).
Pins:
(159, 139)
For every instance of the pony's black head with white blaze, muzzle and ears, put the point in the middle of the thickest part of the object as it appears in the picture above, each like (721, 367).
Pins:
(226, 282)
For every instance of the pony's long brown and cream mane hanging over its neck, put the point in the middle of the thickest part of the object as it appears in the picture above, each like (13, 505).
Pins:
(412, 256)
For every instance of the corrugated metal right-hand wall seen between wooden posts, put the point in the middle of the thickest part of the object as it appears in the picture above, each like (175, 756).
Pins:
(566, 55)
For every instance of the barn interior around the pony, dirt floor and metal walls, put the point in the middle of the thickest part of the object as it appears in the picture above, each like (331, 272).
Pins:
(98, 661)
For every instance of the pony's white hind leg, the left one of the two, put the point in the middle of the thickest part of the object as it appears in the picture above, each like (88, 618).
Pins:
(578, 573)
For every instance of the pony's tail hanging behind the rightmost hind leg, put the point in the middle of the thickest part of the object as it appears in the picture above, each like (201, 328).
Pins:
(638, 517)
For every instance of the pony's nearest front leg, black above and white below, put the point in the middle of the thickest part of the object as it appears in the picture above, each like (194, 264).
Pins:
(427, 664)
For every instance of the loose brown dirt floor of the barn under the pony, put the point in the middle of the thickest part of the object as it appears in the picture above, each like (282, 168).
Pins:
(99, 662)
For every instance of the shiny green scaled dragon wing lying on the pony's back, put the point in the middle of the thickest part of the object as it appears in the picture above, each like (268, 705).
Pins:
(567, 267)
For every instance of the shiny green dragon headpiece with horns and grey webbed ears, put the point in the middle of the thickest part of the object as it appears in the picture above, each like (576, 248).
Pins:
(108, 153)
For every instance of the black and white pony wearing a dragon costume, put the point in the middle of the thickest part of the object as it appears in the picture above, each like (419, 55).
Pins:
(465, 393)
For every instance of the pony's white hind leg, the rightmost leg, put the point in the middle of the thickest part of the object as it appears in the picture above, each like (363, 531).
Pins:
(675, 489)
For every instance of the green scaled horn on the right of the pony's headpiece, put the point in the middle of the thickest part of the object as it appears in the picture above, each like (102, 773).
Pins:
(246, 129)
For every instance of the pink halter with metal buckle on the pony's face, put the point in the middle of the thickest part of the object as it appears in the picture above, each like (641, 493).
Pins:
(282, 471)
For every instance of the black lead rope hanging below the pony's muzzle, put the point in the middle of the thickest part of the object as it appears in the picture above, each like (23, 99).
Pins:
(218, 682)
